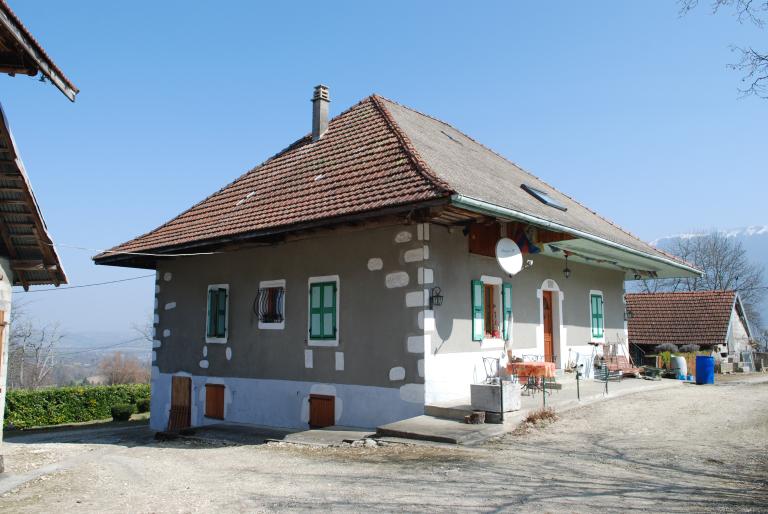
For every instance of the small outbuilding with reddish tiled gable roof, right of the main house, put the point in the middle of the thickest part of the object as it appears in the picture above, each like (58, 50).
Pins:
(712, 320)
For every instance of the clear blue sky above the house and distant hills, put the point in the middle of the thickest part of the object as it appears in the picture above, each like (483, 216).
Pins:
(623, 105)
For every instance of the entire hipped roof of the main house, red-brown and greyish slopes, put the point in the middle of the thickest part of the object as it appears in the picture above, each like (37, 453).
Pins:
(375, 155)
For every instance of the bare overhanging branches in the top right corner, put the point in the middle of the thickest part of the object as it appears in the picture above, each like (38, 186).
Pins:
(753, 63)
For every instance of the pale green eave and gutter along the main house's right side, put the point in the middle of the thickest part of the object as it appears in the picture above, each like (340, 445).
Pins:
(586, 247)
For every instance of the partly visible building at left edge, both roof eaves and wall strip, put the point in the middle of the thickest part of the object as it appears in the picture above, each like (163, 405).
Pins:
(27, 255)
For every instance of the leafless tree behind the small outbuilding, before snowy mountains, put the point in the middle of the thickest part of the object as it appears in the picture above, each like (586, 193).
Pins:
(725, 266)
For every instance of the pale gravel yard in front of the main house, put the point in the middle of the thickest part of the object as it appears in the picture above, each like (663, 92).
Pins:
(691, 449)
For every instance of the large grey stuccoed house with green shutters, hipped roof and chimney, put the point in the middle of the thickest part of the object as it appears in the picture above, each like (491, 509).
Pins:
(352, 278)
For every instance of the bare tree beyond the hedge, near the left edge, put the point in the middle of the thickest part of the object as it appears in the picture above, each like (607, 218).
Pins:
(31, 351)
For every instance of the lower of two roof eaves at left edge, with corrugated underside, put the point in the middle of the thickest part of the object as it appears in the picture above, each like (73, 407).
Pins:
(24, 237)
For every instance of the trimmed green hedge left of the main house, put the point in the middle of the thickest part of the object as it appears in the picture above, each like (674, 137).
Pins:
(57, 405)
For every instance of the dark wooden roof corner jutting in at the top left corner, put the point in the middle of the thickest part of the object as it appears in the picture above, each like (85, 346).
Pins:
(21, 53)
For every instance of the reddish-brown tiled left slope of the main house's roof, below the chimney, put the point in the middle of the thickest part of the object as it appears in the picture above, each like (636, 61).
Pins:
(360, 164)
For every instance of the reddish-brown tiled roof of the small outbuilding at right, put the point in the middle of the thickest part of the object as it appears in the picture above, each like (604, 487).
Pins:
(700, 317)
